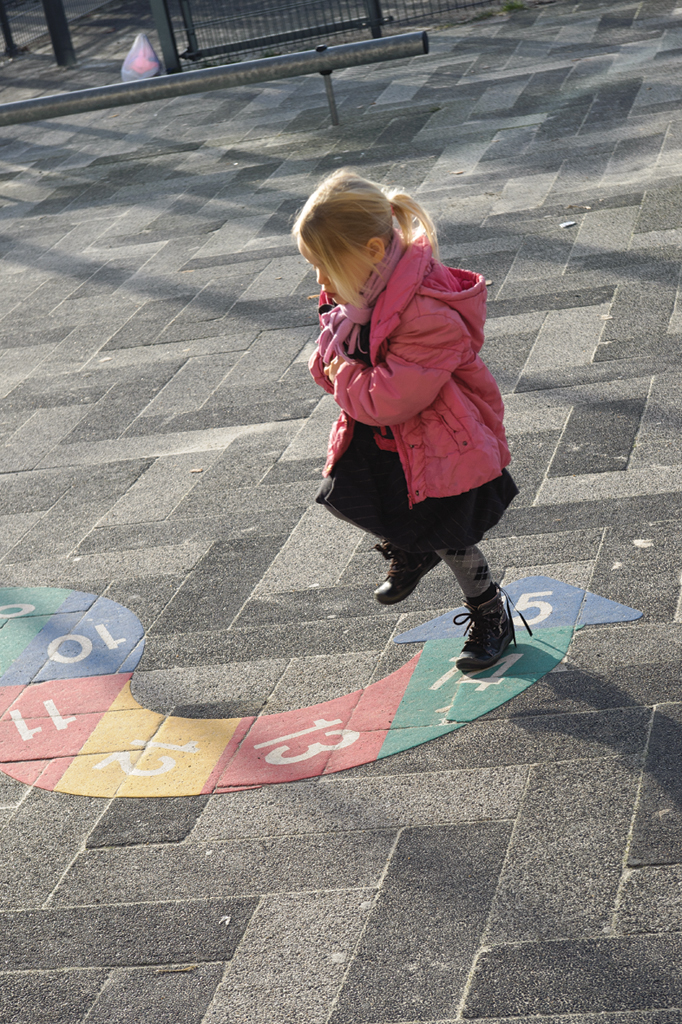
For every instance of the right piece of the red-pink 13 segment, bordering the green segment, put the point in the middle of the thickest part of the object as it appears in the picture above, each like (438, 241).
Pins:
(372, 719)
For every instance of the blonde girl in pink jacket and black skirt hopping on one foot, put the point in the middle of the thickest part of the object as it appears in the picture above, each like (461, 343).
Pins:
(417, 456)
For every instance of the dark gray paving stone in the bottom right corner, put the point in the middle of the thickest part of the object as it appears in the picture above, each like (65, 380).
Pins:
(577, 977)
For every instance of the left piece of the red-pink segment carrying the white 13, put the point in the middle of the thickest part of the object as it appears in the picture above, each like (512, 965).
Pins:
(291, 746)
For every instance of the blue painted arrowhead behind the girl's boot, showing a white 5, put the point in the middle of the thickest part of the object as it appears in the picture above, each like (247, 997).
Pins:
(546, 604)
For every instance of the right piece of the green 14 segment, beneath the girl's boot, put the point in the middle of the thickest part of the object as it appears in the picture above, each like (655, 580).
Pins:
(520, 668)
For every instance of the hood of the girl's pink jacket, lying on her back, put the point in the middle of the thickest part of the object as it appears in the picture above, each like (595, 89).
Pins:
(419, 275)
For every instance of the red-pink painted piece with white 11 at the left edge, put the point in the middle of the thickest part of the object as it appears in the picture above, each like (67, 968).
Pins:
(55, 719)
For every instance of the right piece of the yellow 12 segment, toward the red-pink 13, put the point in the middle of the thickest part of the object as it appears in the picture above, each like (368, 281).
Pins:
(180, 773)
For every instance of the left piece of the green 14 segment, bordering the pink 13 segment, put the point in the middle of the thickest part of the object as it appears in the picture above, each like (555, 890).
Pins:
(422, 706)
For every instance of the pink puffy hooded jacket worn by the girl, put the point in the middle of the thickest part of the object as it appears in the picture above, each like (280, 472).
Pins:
(427, 381)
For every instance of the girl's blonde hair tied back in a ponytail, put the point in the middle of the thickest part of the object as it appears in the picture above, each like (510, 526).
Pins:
(344, 214)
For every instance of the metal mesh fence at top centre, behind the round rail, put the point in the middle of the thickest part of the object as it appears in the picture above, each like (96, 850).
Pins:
(209, 32)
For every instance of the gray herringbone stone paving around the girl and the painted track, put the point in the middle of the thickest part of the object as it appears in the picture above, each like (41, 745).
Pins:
(156, 320)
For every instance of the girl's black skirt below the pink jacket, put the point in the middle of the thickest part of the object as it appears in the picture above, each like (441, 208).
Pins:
(368, 487)
